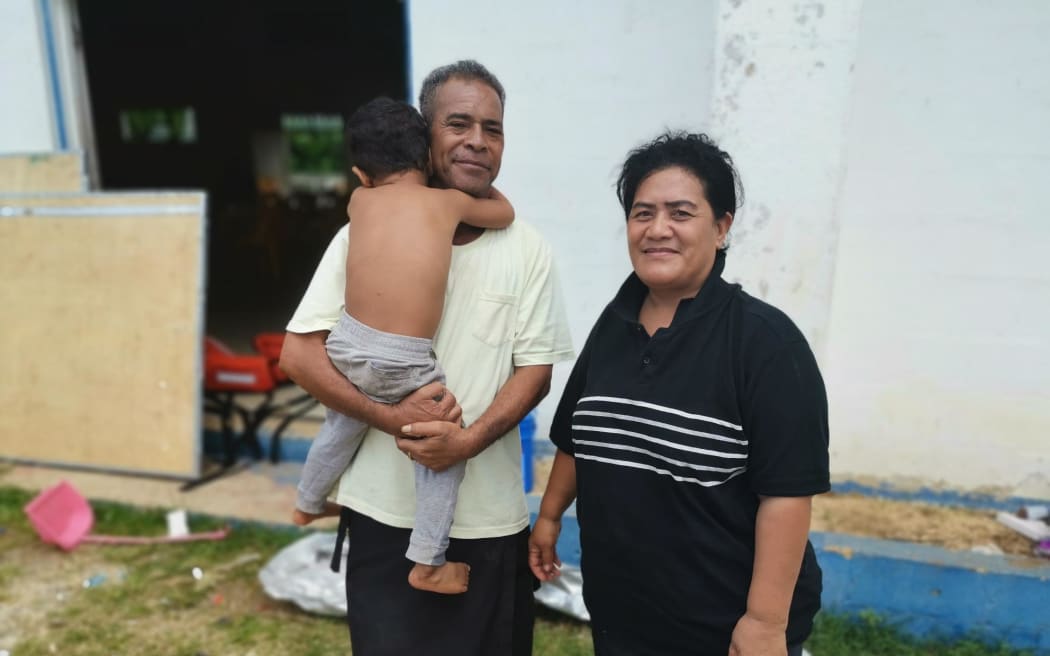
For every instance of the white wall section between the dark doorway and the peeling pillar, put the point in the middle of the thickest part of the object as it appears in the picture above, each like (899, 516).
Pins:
(586, 82)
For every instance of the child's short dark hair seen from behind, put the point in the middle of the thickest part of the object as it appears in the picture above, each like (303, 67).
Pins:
(387, 137)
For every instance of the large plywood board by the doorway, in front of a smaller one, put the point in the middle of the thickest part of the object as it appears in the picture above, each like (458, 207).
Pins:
(100, 342)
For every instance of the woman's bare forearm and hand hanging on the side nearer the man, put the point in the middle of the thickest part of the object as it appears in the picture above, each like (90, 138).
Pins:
(561, 492)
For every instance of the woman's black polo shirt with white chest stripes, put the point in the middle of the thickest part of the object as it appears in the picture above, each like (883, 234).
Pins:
(675, 438)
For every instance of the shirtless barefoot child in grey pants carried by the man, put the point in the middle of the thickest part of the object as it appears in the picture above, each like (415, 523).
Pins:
(397, 267)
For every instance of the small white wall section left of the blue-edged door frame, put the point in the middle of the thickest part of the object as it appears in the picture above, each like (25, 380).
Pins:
(26, 113)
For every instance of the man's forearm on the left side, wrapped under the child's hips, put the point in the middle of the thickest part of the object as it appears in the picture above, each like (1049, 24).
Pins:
(306, 362)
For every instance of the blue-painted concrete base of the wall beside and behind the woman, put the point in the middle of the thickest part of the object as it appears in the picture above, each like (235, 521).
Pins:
(927, 591)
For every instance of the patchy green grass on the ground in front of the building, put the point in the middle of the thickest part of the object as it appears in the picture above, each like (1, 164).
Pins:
(146, 601)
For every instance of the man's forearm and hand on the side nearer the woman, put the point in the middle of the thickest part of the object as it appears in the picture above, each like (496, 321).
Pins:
(442, 445)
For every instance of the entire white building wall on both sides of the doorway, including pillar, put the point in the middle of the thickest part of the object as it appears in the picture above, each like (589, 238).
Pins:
(893, 156)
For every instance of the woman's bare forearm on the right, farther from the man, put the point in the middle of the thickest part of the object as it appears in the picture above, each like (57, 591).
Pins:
(782, 531)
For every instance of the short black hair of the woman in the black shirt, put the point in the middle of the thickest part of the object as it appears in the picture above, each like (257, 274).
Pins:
(696, 154)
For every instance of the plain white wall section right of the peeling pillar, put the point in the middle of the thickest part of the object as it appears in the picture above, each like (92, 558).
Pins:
(939, 353)
